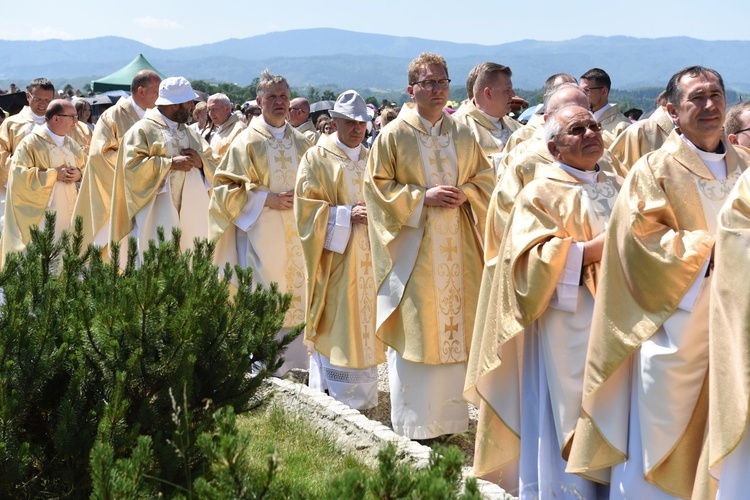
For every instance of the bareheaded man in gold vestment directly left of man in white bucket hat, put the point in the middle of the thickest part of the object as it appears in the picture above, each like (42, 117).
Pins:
(95, 198)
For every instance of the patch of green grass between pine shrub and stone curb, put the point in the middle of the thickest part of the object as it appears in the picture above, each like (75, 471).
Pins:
(308, 460)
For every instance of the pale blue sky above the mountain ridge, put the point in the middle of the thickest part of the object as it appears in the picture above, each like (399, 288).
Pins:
(173, 23)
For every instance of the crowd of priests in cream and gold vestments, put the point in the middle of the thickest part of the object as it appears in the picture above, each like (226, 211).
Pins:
(578, 278)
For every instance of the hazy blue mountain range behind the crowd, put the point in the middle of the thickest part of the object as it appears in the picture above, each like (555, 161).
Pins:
(323, 56)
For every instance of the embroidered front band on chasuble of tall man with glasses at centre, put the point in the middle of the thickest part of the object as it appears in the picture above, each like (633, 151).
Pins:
(442, 225)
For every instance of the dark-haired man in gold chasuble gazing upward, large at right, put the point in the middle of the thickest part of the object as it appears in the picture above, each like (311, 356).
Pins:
(644, 399)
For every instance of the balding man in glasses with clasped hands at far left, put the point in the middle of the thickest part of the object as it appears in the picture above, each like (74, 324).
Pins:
(45, 166)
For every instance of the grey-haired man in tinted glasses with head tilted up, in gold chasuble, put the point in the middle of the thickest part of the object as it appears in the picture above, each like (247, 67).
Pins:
(541, 306)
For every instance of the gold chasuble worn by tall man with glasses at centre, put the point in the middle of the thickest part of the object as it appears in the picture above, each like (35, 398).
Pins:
(428, 260)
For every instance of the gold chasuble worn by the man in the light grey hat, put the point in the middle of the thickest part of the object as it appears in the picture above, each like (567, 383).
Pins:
(340, 287)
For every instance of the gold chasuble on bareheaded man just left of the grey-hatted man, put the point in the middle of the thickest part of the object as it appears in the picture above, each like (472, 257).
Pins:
(259, 163)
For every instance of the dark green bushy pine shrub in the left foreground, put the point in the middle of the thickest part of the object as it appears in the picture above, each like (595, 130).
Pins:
(90, 358)
